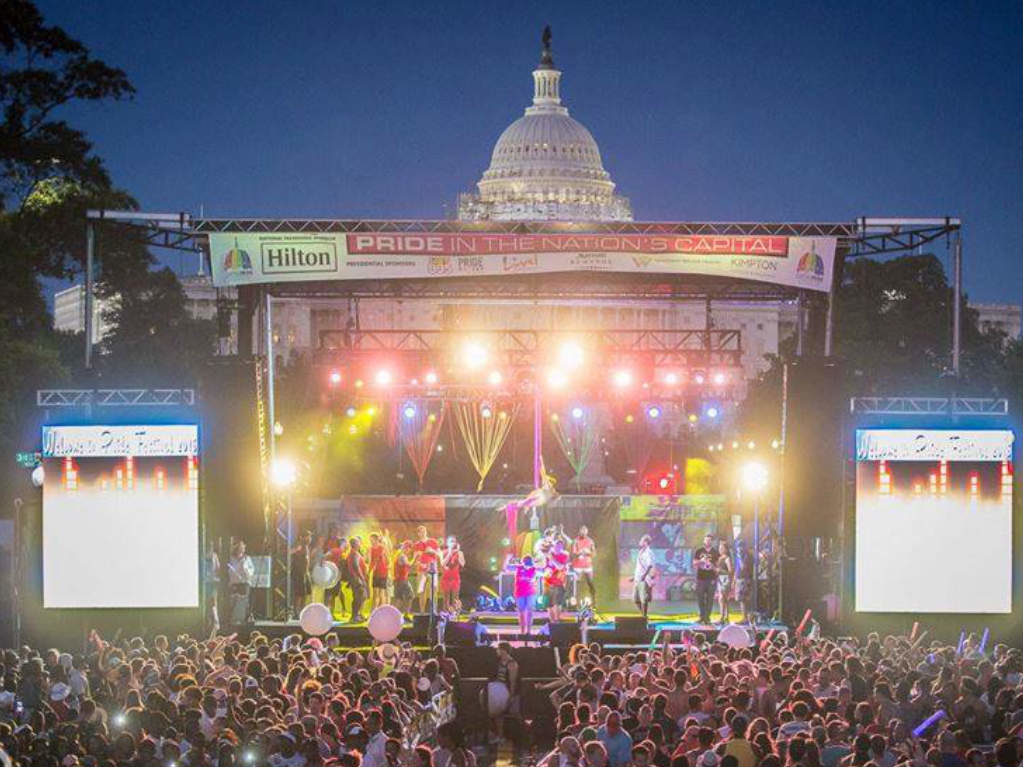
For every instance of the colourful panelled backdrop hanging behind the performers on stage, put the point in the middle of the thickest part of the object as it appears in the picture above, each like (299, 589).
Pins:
(677, 525)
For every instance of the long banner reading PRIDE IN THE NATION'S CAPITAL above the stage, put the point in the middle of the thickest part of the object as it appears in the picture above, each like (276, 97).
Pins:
(240, 259)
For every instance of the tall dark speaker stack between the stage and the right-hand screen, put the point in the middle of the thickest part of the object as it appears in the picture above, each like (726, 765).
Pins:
(813, 465)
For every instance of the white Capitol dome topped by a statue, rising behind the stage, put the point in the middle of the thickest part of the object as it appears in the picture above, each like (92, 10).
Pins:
(546, 166)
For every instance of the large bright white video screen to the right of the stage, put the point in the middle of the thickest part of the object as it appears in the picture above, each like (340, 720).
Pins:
(934, 521)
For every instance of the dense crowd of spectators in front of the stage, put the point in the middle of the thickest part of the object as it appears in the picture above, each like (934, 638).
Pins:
(296, 702)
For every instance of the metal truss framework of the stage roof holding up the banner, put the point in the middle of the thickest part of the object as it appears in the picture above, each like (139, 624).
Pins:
(863, 237)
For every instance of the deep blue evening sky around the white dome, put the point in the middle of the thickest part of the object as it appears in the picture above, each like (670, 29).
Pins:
(785, 111)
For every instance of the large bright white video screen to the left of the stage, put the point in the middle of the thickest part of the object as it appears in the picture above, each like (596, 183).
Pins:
(121, 517)
